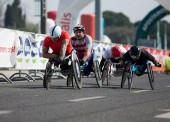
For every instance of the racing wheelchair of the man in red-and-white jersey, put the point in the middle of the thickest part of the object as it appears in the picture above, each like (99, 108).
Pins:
(95, 68)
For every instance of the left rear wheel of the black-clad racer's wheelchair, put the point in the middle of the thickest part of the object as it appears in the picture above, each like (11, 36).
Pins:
(124, 74)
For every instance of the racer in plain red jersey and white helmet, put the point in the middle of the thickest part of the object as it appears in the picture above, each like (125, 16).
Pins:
(59, 42)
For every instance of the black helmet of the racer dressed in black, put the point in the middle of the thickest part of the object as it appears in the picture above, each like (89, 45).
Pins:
(135, 52)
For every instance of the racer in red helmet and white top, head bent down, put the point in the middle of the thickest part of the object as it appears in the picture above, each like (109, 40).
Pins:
(114, 53)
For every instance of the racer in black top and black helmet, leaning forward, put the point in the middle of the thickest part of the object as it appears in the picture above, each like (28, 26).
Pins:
(139, 57)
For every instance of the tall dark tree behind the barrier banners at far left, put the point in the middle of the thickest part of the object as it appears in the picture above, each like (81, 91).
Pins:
(14, 17)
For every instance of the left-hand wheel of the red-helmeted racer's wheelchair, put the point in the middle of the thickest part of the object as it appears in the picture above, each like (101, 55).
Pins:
(105, 72)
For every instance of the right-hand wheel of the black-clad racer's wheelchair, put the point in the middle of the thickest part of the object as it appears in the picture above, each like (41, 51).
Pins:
(150, 75)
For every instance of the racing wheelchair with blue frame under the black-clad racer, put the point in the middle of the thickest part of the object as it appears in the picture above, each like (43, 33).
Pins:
(130, 70)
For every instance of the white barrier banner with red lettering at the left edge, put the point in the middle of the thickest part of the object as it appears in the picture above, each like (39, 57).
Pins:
(8, 48)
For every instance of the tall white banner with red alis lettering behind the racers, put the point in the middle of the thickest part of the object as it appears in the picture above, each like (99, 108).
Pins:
(68, 12)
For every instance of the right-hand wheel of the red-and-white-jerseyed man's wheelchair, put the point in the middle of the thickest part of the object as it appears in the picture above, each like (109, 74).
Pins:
(97, 73)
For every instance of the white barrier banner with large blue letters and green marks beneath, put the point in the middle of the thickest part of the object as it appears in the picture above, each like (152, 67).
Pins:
(30, 53)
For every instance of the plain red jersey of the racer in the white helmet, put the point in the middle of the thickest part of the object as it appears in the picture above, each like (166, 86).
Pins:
(56, 46)
